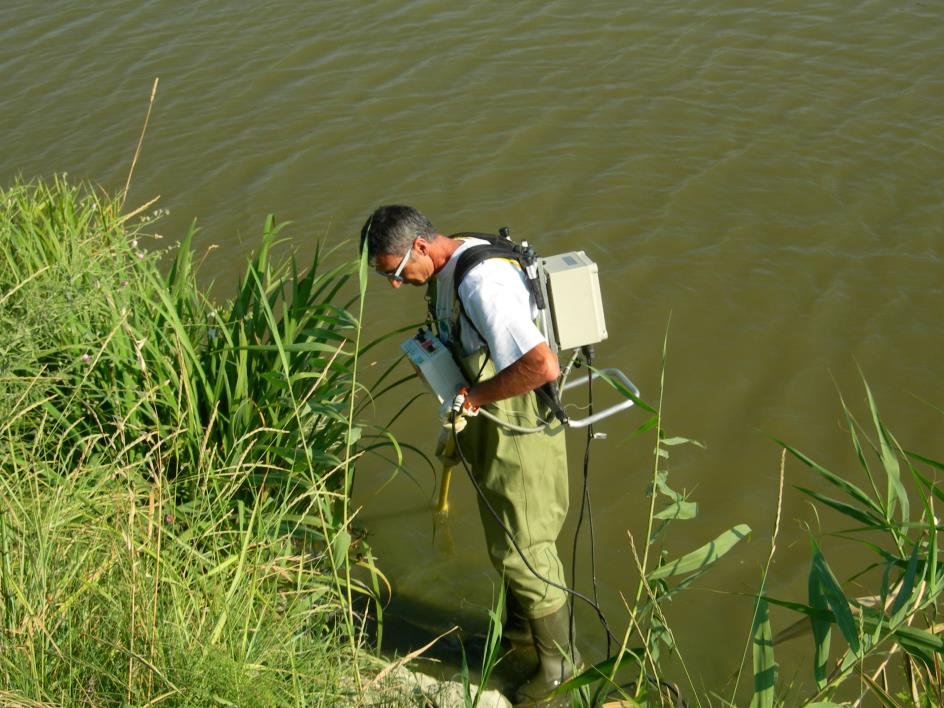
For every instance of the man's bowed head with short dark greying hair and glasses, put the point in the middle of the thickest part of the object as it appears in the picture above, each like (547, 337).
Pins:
(390, 236)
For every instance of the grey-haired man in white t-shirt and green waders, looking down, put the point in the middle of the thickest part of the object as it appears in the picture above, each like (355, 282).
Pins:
(523, 477)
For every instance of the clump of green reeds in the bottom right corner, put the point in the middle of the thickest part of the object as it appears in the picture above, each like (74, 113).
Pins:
(898, 622)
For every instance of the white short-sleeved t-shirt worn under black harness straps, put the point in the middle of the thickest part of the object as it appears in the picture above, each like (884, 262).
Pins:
(496, 298)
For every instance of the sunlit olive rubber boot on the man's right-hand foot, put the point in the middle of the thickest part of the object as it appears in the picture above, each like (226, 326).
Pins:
(552, 637)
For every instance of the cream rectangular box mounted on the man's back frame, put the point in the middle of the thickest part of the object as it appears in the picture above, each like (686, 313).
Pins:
(573, 286)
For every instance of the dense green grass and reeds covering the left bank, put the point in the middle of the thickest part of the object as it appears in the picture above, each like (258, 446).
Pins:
(173, 471)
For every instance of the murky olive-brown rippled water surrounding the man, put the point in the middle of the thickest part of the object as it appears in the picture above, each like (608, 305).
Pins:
(763, 183)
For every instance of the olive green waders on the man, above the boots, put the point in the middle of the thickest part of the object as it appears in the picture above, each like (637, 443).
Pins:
(524, 478)
